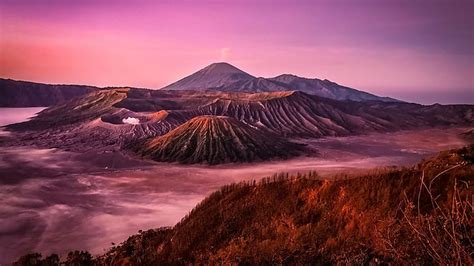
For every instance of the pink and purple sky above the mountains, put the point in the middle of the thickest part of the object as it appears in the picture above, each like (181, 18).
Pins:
(414, 50)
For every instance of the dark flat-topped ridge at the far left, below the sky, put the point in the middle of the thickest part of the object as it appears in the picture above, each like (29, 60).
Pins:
(29, 94)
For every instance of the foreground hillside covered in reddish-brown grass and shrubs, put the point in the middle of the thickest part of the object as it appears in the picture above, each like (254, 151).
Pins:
(421, 214)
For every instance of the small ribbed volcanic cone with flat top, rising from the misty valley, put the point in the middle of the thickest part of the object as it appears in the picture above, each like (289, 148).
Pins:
(216, 139)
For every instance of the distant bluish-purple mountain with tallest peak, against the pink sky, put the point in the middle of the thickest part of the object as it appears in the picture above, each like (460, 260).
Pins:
(225, 77)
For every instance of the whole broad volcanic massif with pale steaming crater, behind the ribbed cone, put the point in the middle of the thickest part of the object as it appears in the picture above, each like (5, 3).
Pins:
(97, 120)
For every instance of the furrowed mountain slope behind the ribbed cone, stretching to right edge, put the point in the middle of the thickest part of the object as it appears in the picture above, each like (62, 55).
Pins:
(297, 114)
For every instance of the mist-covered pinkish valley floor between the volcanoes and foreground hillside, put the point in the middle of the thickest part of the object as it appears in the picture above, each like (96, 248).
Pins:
(56, 201)
